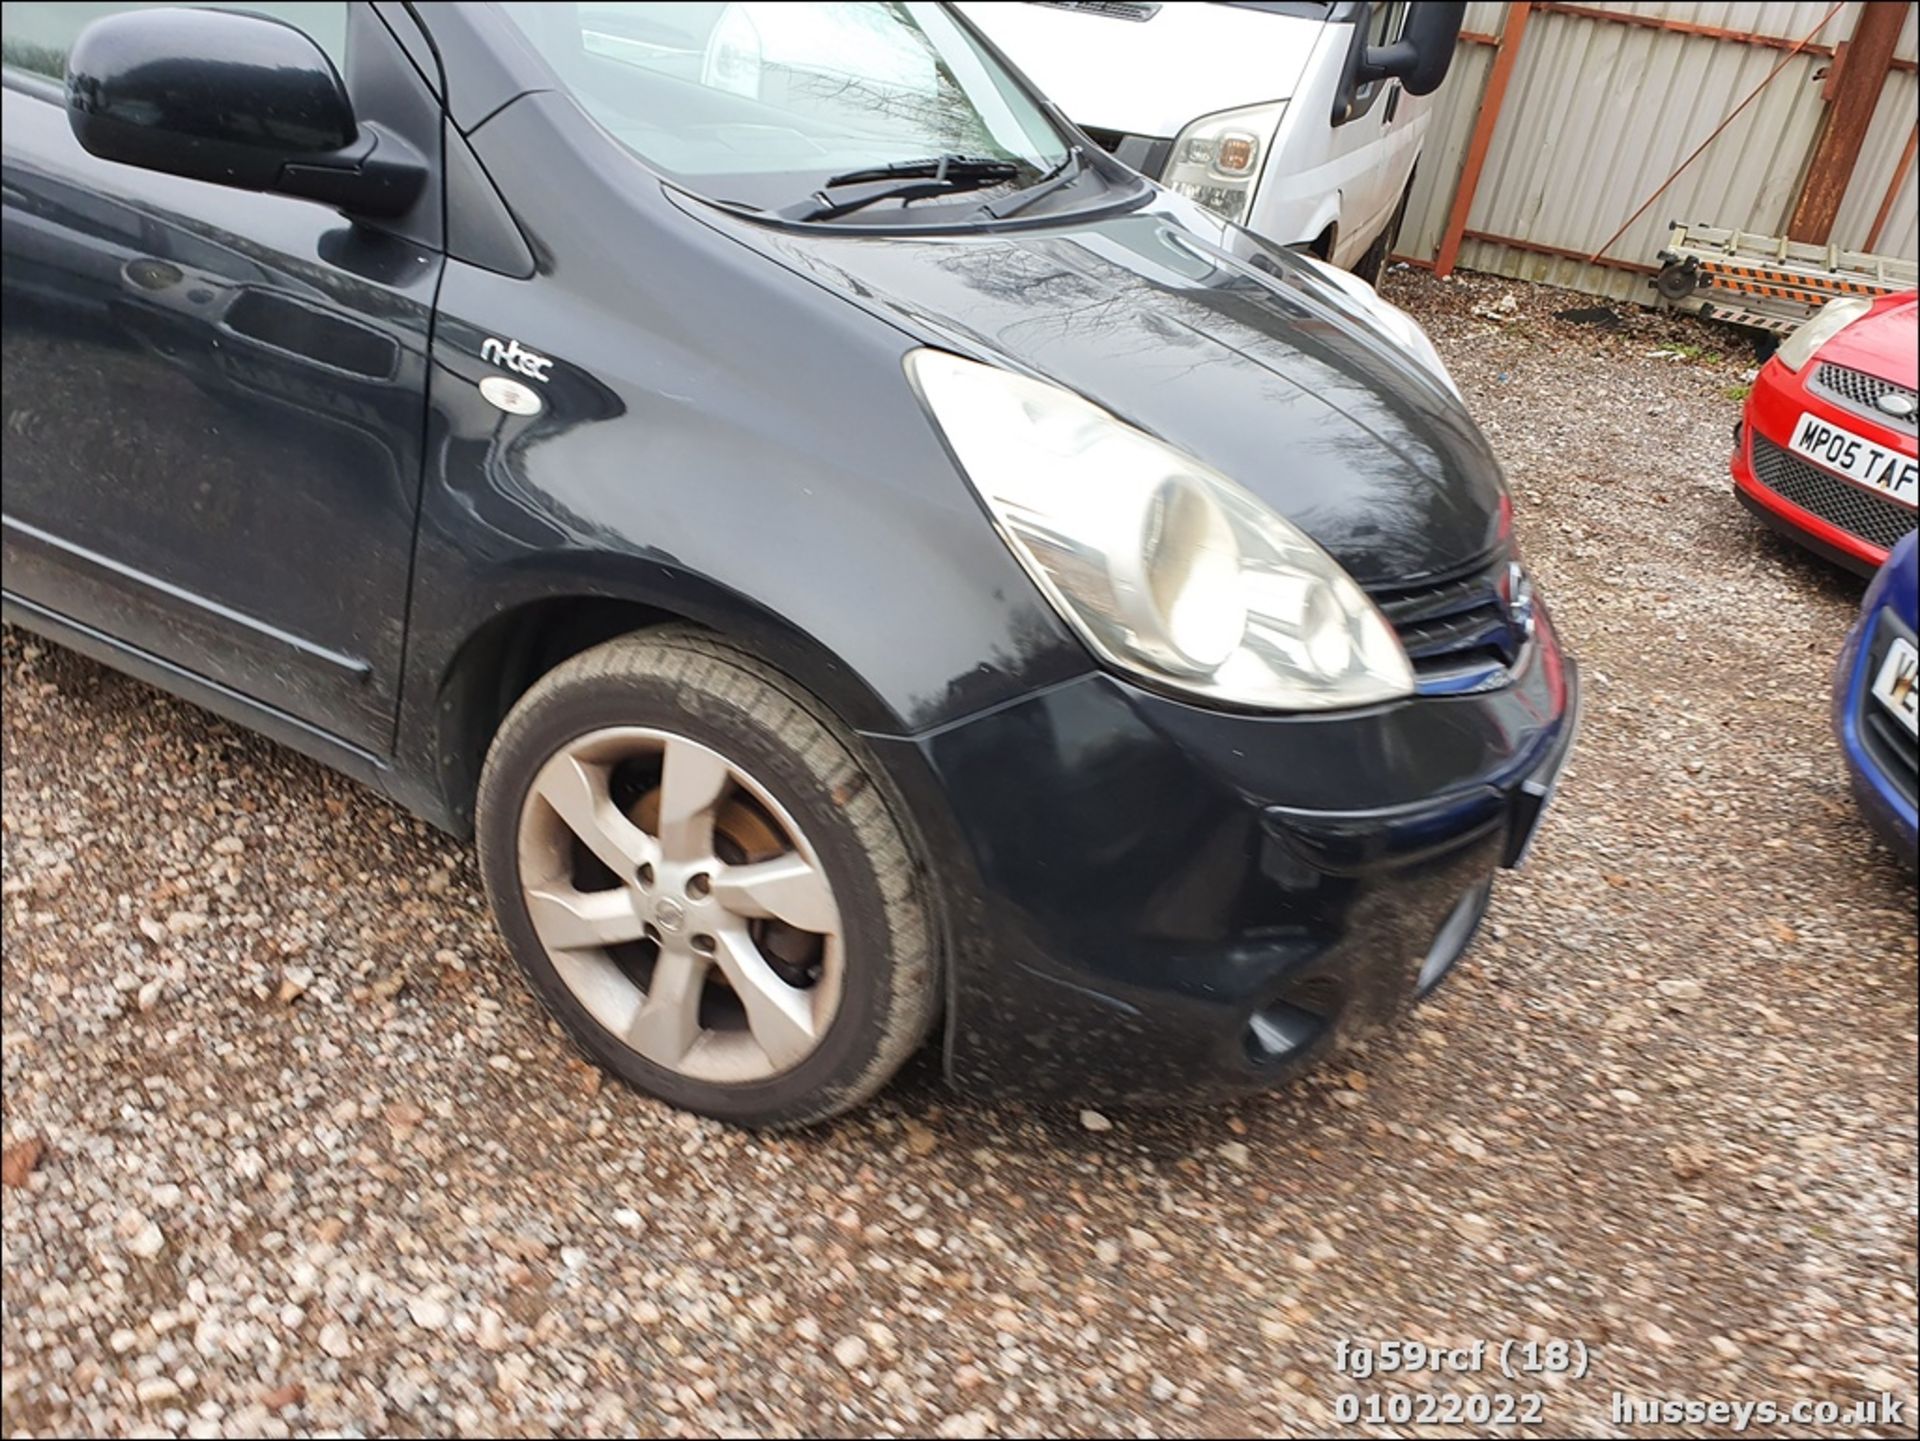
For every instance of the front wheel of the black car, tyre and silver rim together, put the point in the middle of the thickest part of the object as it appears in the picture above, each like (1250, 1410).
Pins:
(706, 884)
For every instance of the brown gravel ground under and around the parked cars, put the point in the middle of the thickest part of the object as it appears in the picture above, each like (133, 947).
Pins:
(289, 1146)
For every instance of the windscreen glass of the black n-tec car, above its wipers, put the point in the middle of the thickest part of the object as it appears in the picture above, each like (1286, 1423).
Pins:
(763, 103)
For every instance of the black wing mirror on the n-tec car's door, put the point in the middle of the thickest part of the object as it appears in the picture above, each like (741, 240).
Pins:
(237, 101)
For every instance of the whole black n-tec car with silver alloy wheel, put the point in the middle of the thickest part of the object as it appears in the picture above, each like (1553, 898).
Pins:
(859, 559)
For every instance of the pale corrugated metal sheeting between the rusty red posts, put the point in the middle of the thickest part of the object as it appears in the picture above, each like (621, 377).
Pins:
(1598, 114)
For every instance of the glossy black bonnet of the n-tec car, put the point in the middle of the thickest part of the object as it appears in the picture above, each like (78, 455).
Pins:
(1232, 350)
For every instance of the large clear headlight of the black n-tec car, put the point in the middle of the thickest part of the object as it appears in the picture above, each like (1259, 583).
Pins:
(1164, 567)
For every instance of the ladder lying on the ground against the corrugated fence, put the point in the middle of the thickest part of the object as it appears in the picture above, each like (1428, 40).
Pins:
(1767, 281)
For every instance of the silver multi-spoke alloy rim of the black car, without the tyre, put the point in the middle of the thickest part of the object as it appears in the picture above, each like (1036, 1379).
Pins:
(656, 953)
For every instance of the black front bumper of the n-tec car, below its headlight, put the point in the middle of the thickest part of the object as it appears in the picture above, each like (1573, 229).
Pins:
(1155, 903)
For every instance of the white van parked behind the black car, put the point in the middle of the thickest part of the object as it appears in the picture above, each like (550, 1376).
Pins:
(1301, 122)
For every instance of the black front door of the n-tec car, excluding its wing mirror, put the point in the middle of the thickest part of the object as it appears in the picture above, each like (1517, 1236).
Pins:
(214, 400)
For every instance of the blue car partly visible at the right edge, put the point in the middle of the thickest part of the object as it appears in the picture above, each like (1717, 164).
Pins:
(1877, 709)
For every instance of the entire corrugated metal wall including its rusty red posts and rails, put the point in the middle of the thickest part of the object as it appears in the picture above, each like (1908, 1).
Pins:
(1560, 122)
